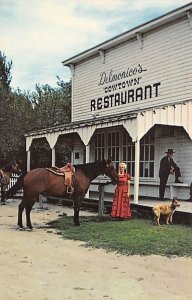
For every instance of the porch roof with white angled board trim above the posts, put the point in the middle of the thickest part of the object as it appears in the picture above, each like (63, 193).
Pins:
(137, 123)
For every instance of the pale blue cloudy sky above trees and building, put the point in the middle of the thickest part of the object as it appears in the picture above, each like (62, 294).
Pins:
(37, 35)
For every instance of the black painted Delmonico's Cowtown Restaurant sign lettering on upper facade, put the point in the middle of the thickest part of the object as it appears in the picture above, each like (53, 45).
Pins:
(121, 88)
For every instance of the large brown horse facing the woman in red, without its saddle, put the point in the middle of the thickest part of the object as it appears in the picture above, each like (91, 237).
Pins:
(42, 181)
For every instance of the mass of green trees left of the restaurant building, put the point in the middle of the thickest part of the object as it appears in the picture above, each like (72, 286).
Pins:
(21, 112)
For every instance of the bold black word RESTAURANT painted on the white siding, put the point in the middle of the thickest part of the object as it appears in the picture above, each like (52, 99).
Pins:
(125, 97)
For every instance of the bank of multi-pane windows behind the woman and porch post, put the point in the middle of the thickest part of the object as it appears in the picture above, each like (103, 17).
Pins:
(118, 145)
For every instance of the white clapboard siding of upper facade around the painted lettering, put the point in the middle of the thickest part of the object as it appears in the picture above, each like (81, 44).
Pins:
(167, 56)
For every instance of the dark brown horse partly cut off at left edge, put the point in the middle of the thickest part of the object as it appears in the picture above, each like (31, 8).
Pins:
(5, 174)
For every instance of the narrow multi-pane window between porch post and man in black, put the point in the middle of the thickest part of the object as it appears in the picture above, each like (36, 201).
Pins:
(147, 156)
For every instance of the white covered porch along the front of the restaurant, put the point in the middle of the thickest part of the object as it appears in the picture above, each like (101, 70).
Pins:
(137, 125)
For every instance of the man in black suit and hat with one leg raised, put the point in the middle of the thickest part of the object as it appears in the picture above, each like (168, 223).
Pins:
(167, 167)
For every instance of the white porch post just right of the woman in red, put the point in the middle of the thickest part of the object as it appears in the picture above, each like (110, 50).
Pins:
(136, 180)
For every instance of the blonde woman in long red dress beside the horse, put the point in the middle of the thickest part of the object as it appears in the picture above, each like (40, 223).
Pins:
(121, 201)
